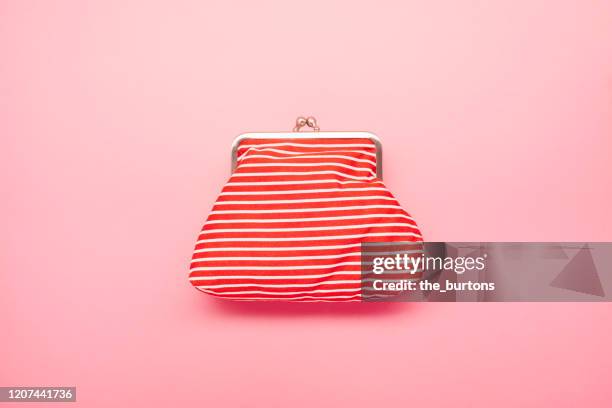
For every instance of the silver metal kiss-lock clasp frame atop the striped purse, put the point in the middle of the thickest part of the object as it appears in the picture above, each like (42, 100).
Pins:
(311, 122)
